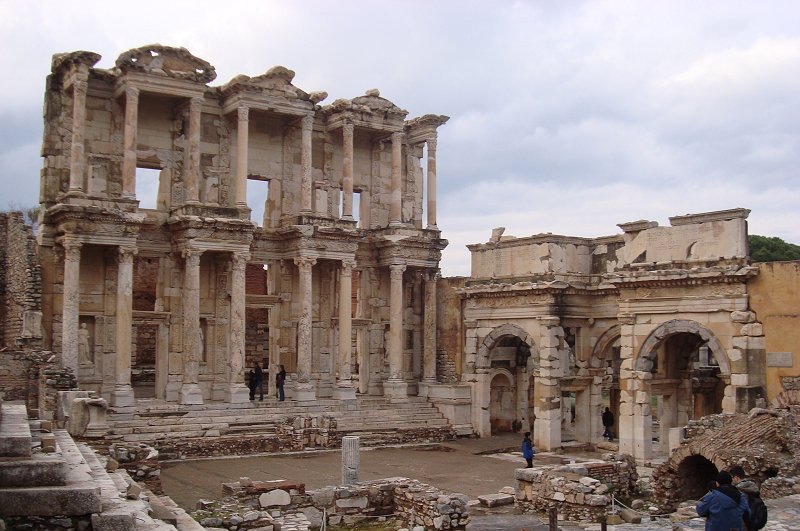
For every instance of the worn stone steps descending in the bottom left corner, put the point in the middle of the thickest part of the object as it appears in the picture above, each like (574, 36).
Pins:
(49, 476)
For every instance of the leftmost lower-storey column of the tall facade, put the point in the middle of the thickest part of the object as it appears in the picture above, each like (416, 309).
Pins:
(70, 310)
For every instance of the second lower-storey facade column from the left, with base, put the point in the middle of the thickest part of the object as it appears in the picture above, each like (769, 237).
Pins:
(122, 395)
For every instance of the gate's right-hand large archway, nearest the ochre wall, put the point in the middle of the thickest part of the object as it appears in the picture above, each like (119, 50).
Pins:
(688, 364)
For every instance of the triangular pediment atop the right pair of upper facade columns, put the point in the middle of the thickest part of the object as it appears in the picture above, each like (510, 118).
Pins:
(368, 112)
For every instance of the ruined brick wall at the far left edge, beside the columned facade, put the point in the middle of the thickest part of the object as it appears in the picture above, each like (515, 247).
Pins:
(20, 283)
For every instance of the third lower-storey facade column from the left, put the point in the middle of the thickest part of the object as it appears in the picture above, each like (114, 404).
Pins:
(190, 390)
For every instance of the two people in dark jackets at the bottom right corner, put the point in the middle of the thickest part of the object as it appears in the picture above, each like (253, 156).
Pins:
(733, 503)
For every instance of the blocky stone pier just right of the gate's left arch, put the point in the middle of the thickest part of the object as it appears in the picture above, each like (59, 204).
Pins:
(548, 390)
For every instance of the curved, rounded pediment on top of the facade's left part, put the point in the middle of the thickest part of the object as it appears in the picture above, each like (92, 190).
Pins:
(178, 63)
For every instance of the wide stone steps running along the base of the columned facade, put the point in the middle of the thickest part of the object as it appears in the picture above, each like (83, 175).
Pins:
(377, 420)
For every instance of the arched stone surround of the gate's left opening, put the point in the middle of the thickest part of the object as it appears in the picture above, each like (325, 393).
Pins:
(481, 391)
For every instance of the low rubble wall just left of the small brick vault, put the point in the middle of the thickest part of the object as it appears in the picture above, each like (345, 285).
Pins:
(580, 491)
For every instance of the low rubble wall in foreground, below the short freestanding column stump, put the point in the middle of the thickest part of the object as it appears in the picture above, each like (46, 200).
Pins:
(412, 502)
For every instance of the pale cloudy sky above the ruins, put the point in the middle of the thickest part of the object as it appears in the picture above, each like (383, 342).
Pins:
(566, 117)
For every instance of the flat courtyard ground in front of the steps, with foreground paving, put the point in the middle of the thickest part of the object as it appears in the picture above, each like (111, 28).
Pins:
(464, 466)
